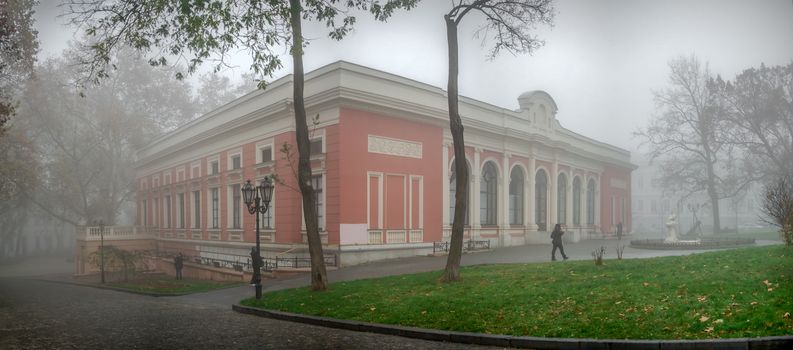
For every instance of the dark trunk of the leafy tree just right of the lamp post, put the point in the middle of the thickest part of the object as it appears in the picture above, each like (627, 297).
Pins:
(319, 277)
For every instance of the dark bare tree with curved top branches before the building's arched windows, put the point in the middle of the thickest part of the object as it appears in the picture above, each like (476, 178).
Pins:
(508, 24)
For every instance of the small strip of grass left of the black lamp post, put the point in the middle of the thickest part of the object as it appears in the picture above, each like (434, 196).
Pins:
(169, 285)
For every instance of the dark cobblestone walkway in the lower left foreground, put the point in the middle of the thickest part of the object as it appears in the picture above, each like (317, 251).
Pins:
(37, 314)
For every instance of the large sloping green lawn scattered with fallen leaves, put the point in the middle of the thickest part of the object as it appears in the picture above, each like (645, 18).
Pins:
(735, 293)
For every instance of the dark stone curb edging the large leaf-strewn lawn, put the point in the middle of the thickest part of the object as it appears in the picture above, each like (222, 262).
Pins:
(777, 342)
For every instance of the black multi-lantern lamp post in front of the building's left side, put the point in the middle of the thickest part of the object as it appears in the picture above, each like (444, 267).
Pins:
(258, 201)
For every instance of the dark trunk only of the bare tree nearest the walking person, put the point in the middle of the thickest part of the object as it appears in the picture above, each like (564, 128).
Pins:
(452, 271)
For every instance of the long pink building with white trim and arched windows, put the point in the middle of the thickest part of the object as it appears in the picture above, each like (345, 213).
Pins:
(383, 170)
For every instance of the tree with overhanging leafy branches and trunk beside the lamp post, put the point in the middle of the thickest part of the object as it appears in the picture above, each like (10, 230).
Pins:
(212, 31)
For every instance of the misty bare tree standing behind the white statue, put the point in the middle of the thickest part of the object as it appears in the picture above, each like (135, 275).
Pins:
(688, 138)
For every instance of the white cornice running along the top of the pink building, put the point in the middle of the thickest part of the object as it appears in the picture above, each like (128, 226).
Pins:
(344, 84)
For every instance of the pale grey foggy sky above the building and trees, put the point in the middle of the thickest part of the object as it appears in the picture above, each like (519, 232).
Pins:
(601, 61)
